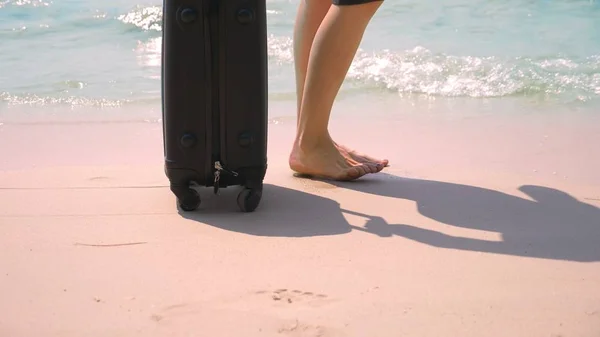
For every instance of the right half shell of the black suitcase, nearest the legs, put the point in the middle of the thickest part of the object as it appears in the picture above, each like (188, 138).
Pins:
(244, 86)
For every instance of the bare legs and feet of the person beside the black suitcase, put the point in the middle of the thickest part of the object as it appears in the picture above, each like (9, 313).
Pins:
(330, 56)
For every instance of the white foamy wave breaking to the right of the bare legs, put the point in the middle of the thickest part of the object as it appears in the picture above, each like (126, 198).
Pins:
(421, 71)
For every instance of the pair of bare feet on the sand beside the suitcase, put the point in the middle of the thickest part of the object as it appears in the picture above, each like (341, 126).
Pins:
(329, 162)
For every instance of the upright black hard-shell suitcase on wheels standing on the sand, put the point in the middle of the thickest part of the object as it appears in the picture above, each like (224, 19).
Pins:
(214, 98)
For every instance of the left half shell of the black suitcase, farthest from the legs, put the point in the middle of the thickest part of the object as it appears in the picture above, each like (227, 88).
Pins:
(186, 102)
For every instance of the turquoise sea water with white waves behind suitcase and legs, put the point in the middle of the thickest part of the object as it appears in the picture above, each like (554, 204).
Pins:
(107, 53)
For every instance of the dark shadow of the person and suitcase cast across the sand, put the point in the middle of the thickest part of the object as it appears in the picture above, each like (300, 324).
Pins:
(553, 225)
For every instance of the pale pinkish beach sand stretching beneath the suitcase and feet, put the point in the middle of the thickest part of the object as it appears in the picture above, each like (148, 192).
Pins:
(481, 227)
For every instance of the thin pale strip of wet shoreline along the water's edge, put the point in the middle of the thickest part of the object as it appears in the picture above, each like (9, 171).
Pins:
(355, 102)
